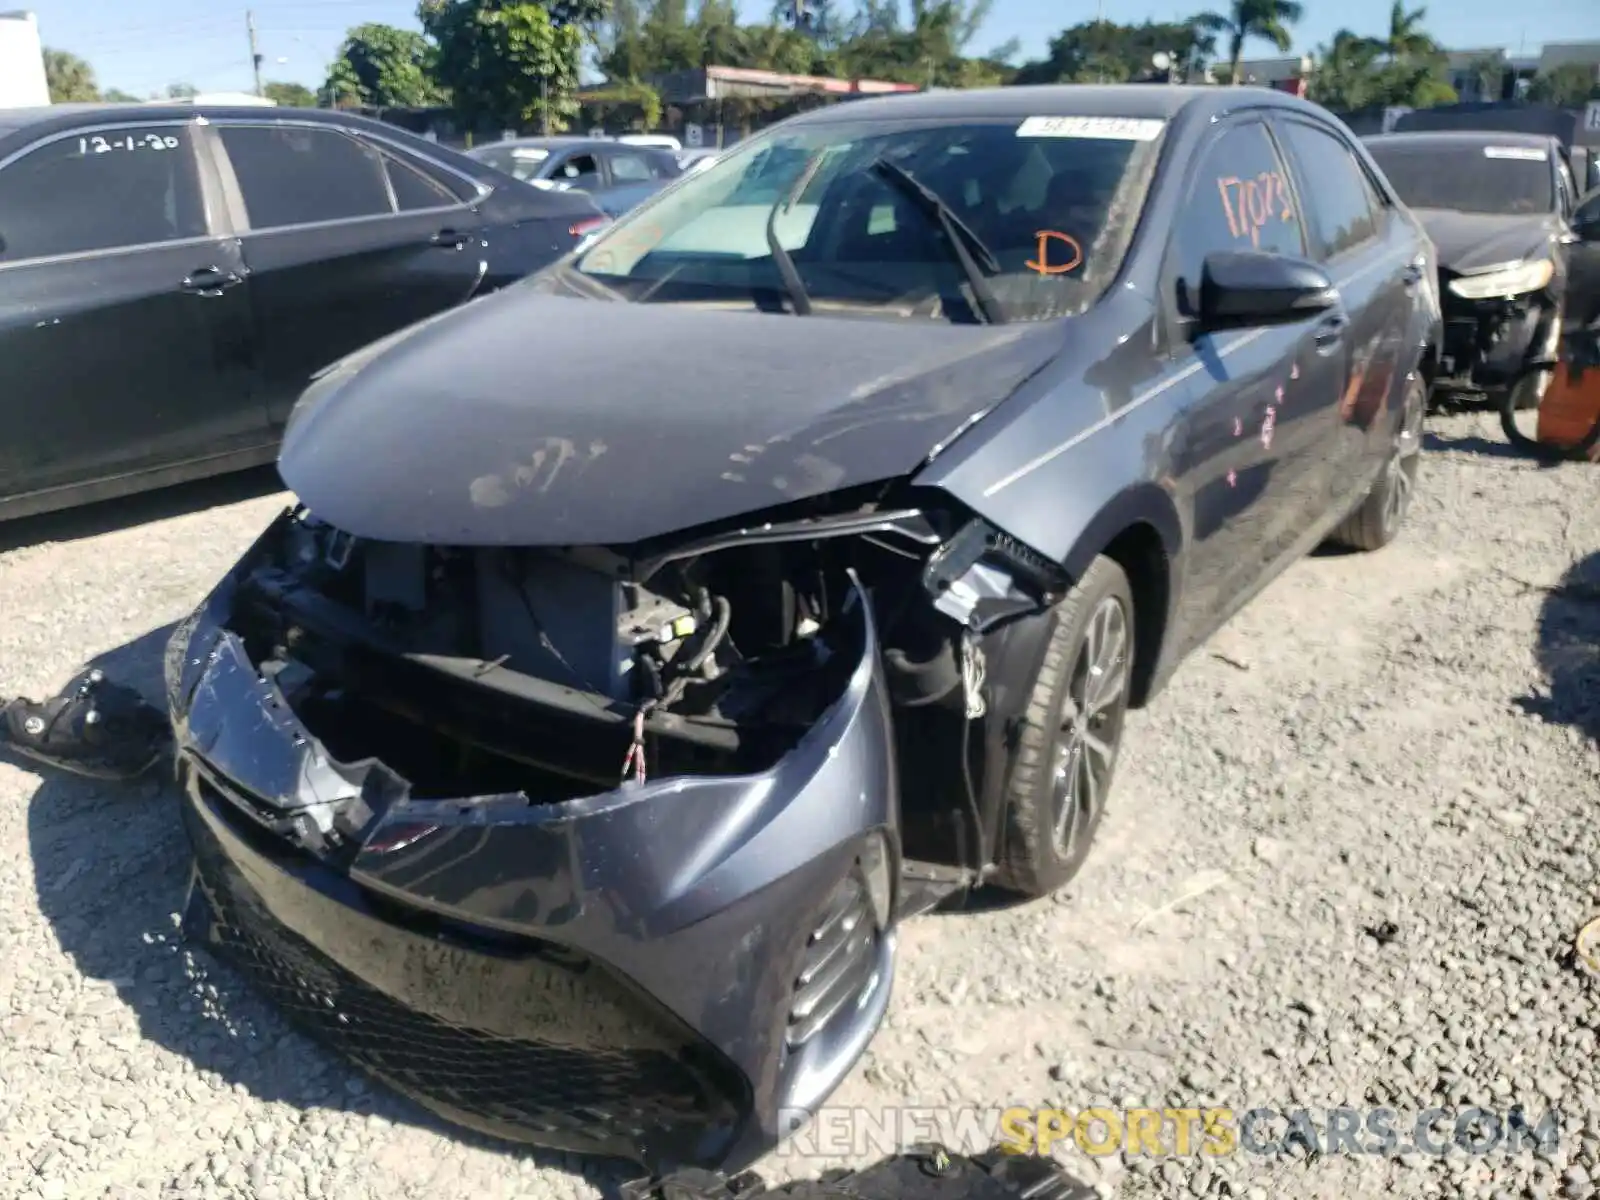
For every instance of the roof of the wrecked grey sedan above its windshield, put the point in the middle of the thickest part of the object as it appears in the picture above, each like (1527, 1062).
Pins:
(1161, 102)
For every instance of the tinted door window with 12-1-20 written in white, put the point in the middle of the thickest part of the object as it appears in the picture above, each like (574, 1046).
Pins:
(102, 191)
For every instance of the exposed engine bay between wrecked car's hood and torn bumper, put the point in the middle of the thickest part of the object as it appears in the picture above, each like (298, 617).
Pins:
(561, 673)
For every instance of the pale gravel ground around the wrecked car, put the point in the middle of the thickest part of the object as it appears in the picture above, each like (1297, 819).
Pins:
(1377, 791)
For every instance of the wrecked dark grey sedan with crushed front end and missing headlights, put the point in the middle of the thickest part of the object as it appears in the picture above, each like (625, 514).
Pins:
(574, 753)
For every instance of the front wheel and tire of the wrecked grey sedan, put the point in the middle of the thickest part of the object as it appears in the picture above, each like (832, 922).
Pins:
(1066, 756)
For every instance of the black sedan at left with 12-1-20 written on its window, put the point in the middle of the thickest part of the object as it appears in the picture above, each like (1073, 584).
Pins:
(174, 278)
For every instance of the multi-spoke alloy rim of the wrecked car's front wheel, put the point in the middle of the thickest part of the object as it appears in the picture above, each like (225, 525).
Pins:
(1090, 726)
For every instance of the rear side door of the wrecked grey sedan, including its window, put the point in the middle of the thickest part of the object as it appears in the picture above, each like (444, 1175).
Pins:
(1369, 254)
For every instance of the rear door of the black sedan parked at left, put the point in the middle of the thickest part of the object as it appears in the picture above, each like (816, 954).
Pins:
(345, 241)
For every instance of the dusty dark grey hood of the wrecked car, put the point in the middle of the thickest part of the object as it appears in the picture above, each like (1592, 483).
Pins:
(527, 420)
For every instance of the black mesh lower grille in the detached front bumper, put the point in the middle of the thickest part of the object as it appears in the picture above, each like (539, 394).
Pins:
(564, 1090)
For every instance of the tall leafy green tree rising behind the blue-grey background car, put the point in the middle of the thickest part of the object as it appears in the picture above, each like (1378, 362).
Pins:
(508, 62)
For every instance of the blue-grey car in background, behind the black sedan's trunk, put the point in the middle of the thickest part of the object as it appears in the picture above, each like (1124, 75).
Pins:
(614, 174)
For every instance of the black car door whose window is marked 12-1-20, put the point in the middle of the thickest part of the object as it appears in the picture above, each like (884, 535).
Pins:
(126, 337)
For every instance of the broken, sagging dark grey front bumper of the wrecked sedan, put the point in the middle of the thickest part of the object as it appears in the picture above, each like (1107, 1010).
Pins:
(666, 972)
